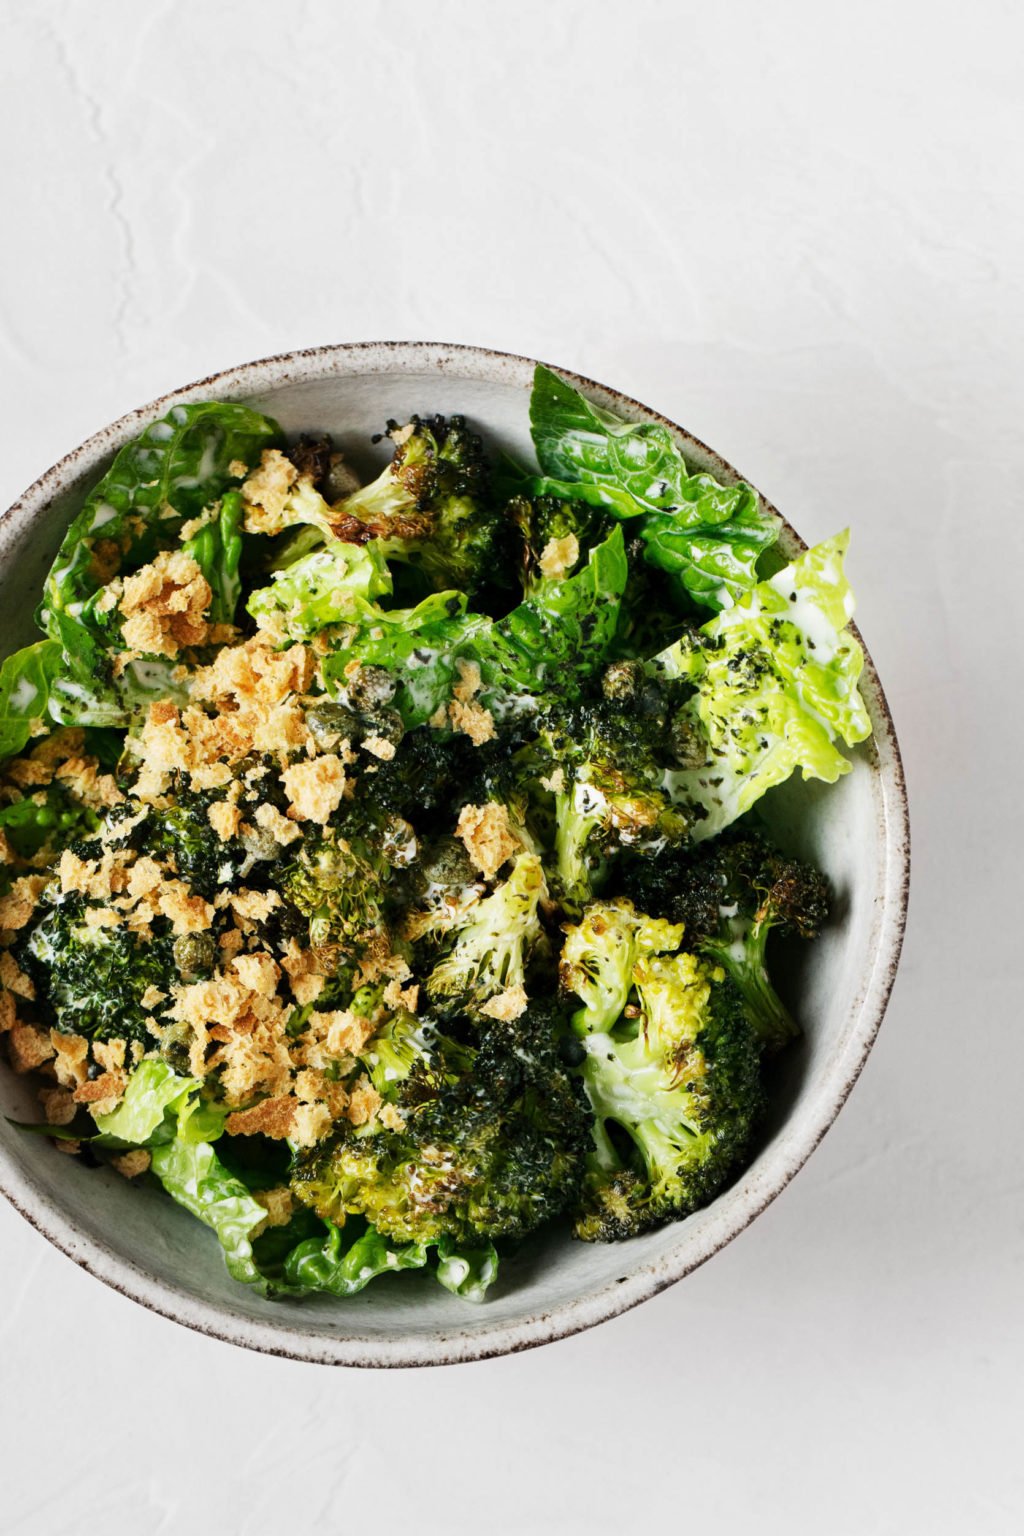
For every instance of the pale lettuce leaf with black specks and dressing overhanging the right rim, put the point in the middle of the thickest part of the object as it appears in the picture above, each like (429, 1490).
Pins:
(776, 689)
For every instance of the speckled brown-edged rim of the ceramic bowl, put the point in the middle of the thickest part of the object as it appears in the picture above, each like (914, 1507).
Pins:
(299, 1340)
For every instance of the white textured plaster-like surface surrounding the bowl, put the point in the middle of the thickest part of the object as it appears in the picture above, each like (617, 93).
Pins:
(798, 230)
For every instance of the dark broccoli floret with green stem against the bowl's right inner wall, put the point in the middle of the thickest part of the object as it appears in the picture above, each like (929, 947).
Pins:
(732, 895)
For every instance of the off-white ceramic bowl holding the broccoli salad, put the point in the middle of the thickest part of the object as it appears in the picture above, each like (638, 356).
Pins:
(150, 1250)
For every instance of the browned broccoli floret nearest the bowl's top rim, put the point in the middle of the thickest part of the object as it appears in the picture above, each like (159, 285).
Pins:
(431, 508)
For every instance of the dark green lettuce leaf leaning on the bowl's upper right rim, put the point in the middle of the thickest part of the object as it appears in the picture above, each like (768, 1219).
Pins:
(709, 537)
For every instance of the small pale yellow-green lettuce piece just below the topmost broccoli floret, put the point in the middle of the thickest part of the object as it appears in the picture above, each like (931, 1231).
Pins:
(326, 588)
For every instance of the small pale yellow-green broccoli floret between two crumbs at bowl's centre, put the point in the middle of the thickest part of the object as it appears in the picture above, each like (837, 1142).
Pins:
(495, 939)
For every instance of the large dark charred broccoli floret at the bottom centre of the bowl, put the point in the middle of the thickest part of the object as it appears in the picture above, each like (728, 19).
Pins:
(491, 1140)
